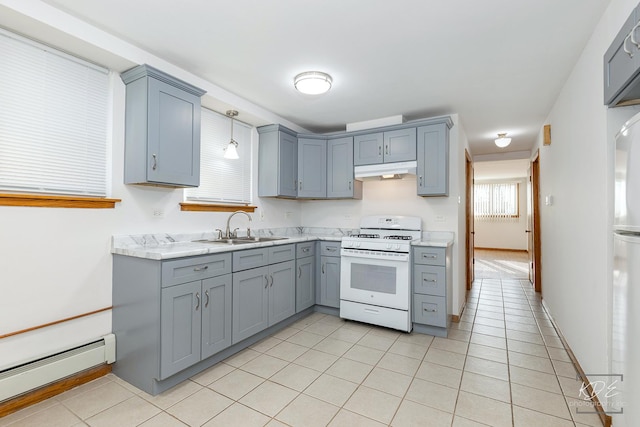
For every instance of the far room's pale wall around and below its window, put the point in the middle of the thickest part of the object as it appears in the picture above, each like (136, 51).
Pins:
(510, 234)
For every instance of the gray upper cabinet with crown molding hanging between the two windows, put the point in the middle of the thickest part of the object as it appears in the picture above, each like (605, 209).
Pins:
(162, 129)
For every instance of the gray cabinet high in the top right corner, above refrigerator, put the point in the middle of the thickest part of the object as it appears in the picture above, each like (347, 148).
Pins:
(622, 63)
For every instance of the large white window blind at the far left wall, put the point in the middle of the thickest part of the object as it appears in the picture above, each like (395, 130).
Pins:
(54, 113)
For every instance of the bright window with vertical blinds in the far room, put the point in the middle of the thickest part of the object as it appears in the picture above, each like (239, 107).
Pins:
(496, 201)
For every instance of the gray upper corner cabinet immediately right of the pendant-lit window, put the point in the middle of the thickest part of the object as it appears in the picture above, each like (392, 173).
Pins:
(277, 162)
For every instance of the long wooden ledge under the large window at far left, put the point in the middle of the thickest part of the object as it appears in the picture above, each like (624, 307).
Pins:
(55, 201)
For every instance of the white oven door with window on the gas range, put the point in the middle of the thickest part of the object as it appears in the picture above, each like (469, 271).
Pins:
(376, 278)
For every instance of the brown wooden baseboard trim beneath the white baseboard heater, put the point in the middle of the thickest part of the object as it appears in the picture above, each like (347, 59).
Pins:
(43, 393)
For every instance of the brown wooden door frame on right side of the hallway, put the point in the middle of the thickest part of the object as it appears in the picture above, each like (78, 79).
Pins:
(534, 226)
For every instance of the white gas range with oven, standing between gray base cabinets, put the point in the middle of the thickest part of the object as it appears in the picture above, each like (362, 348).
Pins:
(375, 283)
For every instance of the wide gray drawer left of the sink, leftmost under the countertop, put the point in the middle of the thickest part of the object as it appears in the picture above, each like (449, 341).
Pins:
(190, 269)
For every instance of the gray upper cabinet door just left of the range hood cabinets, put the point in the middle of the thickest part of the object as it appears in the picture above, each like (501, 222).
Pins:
(340, 182)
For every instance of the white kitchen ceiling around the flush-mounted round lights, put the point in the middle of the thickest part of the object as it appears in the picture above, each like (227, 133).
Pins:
(499, 64)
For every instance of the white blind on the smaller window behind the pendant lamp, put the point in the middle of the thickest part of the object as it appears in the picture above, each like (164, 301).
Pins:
(223, 180)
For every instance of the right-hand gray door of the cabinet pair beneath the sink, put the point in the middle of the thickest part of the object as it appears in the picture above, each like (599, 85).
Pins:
(282, 291)
